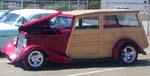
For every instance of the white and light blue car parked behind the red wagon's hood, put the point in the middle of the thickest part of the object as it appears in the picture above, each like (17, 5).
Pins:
(10, 23)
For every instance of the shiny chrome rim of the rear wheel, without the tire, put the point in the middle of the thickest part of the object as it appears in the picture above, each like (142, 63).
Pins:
(129, 54)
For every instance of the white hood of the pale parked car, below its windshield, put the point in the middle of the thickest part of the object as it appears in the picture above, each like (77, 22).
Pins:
(4, 26)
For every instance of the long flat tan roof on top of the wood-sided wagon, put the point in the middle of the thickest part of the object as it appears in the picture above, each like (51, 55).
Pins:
(82, 12)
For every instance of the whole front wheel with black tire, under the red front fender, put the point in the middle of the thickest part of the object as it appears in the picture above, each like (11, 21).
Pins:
(34, 60)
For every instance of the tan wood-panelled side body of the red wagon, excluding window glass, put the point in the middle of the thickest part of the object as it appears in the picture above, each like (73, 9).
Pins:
(98, 43)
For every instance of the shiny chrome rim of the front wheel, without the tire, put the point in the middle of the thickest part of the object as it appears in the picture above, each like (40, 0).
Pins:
(35, 59)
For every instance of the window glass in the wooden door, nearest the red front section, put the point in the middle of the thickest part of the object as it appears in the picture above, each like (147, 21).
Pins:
(91, 22)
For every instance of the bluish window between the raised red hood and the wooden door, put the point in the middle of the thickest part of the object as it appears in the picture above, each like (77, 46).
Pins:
(62, 22)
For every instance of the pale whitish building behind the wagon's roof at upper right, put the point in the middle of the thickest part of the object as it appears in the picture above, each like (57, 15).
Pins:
(131, 4)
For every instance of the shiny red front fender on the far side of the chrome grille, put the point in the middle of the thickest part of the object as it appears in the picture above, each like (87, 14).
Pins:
(9, 50)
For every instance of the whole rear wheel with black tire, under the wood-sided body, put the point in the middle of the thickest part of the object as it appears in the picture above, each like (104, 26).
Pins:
(128, 54)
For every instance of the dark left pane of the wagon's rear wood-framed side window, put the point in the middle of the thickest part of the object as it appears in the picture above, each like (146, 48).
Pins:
(110, 21)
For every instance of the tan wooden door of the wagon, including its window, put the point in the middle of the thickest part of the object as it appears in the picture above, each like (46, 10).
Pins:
(84, 40)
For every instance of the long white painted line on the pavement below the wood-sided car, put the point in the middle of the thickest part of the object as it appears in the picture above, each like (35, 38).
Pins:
(97, 71)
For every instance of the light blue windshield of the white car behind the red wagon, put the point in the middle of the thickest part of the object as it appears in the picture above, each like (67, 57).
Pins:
(10, 18)
